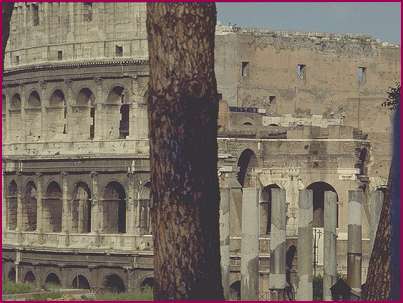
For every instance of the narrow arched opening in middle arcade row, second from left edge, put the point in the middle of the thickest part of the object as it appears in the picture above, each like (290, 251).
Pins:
(29, 207)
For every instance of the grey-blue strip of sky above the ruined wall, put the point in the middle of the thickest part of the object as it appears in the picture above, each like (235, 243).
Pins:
(379, 20)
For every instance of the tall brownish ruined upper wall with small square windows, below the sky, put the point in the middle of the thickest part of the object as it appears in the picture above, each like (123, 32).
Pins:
(308, 76)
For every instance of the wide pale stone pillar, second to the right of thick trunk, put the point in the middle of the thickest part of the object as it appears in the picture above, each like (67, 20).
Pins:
(250, 244)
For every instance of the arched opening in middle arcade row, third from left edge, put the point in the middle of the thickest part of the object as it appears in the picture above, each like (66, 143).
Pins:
(52, 208)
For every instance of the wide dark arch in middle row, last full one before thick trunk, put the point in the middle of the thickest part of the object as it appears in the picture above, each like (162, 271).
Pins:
(114, 209)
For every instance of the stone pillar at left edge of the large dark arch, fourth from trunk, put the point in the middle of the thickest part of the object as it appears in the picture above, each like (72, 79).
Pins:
(305, 245)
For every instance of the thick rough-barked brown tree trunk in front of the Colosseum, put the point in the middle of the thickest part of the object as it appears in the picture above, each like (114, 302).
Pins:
(183, 112)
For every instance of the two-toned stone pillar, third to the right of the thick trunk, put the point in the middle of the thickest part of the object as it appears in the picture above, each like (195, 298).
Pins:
(277, 279)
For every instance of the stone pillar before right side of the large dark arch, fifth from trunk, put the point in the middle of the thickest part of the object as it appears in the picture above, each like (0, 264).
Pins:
(329, 254)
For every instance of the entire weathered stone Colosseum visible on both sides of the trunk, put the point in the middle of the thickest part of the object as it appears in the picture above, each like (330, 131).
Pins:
(297, 111)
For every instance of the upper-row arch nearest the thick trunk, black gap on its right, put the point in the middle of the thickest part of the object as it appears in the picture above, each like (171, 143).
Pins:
(118, 112)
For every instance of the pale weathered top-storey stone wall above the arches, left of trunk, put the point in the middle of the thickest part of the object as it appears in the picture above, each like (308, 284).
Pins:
(76, 31)
